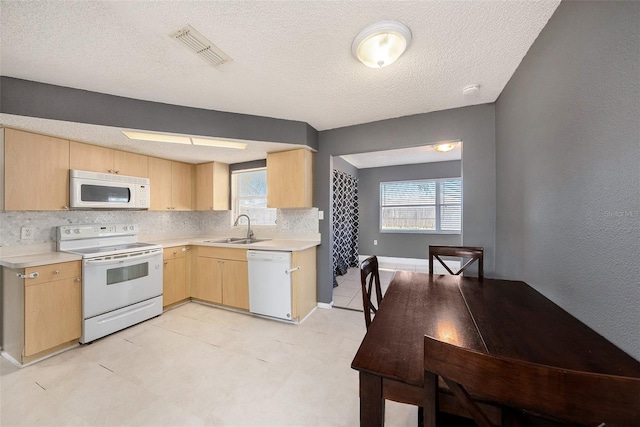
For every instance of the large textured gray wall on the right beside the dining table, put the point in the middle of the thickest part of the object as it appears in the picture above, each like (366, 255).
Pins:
(568, 168)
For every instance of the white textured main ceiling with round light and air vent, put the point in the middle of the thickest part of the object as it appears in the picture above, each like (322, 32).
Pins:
(291, 59)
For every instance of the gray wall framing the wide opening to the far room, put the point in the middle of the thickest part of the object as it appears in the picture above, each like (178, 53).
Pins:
(475, 126)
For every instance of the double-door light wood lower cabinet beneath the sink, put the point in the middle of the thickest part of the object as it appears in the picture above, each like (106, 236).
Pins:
(222, 277)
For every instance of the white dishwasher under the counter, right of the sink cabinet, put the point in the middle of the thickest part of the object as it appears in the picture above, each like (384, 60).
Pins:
(270, 283)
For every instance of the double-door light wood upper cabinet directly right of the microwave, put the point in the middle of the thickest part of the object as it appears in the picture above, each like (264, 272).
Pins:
(171, 185)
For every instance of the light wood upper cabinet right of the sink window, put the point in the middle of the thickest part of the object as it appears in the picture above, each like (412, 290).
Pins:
(290, 179)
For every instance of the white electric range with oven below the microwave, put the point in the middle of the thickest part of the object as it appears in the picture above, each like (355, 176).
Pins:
(121, 277)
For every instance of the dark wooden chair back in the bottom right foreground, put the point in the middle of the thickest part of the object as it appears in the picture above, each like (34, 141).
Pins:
(562, 395)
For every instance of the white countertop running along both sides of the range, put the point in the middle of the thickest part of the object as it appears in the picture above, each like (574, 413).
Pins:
(19, 257)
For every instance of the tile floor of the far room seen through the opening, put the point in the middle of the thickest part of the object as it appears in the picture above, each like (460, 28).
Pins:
(348, 293)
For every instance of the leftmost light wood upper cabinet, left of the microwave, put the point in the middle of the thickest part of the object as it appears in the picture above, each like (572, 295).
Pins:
(36, 171)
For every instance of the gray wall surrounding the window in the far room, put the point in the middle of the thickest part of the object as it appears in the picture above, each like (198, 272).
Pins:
(403, 245)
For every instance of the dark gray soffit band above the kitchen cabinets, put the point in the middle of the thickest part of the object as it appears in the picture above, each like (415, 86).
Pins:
(34, 99)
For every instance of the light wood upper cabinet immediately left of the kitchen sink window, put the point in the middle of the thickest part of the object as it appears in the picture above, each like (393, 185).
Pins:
(212, 184)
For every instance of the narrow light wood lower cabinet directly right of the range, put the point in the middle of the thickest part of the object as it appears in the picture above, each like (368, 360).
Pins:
(175, 286)
